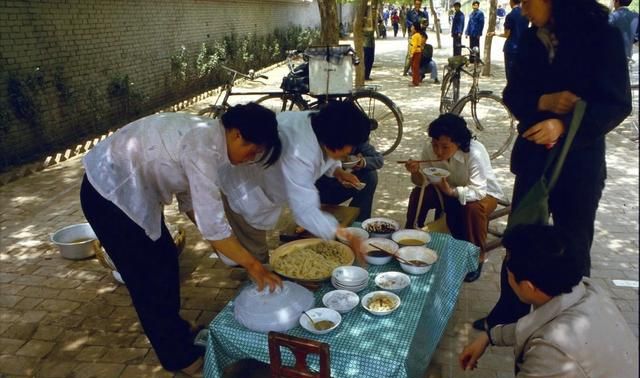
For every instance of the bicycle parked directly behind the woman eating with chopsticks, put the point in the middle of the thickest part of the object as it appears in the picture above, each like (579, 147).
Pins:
(494, 124)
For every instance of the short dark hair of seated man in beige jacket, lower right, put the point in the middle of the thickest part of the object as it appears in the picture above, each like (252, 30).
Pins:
(538, 253)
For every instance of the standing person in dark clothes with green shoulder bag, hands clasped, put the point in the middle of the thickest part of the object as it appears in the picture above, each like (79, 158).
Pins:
(554, 69)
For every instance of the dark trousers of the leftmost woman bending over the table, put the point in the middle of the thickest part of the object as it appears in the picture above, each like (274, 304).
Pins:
(151, 272)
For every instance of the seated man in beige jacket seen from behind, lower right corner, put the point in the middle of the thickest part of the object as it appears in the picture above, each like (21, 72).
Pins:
(574, 329)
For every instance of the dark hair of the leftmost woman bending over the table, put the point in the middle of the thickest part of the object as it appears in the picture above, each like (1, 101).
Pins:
(257, 125)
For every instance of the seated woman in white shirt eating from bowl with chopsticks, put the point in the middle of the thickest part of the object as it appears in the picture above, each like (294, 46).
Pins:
(469, 193)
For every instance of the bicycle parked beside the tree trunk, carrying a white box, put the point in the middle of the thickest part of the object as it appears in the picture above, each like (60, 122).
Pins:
(386, 118)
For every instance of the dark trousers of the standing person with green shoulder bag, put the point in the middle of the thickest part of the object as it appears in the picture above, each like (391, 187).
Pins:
(573, 205)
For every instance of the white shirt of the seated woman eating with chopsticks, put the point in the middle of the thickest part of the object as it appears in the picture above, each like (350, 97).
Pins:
(470, 172)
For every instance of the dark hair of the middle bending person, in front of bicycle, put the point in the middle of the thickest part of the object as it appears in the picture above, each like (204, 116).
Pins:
(340, 123)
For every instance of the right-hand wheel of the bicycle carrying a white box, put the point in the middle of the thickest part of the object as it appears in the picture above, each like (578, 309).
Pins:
(386, 120)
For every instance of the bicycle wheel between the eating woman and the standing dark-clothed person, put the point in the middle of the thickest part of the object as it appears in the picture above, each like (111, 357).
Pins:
(489, 120)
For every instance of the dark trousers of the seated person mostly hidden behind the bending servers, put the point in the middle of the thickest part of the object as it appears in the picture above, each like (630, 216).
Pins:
(334, 193)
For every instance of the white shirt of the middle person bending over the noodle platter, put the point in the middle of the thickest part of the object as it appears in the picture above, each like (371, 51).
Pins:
(259, 194)
